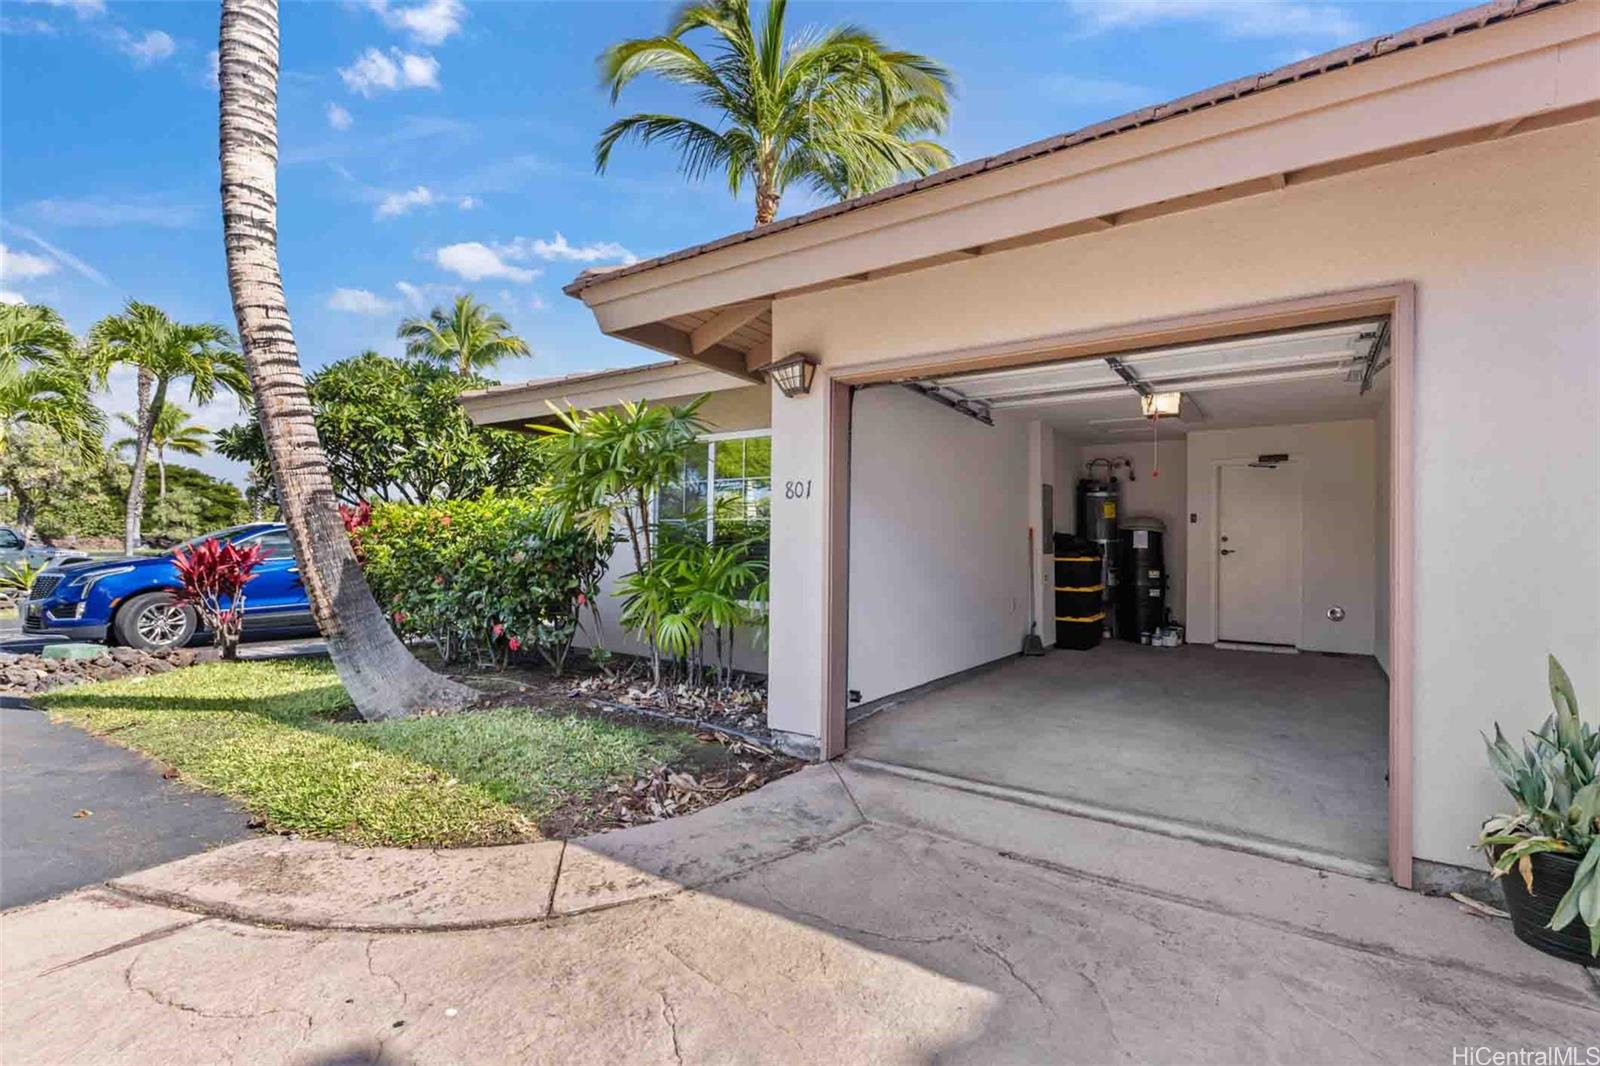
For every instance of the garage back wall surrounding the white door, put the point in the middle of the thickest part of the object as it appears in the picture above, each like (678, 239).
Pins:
(1338, 515)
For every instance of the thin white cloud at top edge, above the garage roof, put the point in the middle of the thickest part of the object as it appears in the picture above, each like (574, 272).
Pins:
(1233, 18)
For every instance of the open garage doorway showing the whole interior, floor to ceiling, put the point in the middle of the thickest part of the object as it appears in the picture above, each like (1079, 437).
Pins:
(1234, 495)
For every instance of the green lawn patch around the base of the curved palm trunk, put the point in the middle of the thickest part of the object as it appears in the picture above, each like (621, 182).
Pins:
(268, 735)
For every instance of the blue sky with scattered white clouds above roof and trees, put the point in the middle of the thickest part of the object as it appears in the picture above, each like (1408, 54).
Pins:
(436, 146)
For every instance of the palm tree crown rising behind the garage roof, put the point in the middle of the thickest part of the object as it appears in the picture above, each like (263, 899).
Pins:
(838, 111)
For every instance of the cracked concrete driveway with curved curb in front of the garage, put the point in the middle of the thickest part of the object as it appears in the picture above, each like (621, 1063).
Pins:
(834, 916)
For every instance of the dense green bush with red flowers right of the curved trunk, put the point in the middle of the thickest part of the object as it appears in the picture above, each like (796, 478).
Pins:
(482, 579)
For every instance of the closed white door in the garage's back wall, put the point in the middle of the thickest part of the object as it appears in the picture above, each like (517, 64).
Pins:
(1260, 555)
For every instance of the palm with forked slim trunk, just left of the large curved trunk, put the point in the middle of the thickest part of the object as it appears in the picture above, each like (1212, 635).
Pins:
(162, 353)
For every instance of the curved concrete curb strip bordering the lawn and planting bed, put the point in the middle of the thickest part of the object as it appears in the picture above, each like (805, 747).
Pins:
(332, 888)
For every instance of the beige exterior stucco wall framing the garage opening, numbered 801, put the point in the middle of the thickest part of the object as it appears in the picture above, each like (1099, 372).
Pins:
(1503, 241)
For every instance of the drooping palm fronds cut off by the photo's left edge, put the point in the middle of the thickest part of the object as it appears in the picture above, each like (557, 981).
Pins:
(42, 382)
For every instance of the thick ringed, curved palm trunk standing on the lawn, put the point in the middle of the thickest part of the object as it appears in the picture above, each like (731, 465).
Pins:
(378, 671)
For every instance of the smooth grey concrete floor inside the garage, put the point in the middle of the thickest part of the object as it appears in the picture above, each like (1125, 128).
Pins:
(1287, 750)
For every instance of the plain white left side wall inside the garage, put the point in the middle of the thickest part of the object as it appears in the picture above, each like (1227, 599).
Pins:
(938, 542)
